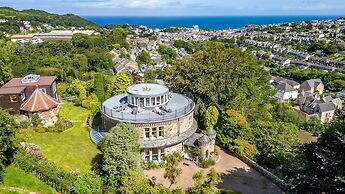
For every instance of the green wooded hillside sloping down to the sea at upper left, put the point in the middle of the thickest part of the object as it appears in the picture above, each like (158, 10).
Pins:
(38, 17)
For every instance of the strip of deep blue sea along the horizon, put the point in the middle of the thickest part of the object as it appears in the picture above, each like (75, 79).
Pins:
(205, 22)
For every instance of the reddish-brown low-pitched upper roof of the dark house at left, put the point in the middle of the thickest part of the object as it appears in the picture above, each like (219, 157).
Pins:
(43, 81)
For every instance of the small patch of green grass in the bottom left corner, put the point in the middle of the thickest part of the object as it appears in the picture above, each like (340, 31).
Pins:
(23, 182)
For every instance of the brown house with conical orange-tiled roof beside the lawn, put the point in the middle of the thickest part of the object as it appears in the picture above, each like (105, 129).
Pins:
(31, 94)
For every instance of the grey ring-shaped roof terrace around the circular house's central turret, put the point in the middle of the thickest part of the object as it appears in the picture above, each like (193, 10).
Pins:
(178, 104)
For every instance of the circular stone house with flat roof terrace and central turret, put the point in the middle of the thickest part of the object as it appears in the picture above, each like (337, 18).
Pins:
(164, 119)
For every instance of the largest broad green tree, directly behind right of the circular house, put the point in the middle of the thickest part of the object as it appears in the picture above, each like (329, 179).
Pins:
(228, 77)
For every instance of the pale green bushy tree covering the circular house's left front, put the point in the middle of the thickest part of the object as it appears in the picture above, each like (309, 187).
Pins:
(120, 149)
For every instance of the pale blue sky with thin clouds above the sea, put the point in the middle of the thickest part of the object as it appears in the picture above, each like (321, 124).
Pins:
(183, 7)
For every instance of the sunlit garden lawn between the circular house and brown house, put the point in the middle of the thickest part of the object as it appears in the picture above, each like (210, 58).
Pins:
(71, 149)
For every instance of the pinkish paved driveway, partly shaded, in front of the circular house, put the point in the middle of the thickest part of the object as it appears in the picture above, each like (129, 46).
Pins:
(236, 175)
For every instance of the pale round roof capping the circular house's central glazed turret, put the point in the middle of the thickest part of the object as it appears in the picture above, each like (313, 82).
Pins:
(147, 90)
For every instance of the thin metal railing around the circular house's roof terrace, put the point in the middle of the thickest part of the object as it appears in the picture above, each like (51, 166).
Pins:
(146, 115)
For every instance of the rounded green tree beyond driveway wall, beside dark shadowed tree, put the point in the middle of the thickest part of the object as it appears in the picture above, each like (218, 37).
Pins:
(277, 143)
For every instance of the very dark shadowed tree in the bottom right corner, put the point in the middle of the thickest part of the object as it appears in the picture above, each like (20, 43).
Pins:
(323, 163)
